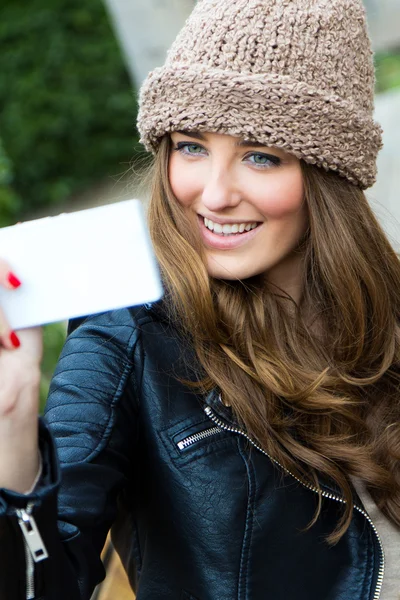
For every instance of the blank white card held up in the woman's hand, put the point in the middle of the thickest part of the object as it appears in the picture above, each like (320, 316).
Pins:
(79, 264)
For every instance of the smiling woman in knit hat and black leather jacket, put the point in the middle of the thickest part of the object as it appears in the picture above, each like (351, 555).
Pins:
(227, 432)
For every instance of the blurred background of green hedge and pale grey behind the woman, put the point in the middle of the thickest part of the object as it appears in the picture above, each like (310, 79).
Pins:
(69, 72)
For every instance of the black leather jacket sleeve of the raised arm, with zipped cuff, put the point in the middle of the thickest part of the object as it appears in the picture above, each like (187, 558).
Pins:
(87, 441)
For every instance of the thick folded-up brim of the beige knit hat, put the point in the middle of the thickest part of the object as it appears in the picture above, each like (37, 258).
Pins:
(321, 129)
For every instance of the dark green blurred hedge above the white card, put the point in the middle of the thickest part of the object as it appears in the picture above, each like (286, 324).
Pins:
(67, 109)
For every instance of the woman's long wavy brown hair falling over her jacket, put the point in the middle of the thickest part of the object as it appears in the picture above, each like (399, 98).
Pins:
(317, 385)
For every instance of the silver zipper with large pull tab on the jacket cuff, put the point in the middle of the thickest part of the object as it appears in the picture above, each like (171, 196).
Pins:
(35, 550)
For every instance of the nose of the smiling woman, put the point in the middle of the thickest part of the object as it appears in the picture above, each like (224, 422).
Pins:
(220, 191)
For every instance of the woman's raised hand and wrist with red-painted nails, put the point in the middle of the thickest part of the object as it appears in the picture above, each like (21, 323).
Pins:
(20, 357)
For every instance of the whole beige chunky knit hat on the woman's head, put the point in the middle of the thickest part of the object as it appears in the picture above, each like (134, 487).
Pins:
(295, 74)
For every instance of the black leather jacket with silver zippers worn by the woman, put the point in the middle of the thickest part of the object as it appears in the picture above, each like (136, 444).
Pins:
(199, 513)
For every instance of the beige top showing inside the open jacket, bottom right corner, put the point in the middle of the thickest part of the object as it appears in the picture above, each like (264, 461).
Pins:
(390, 536)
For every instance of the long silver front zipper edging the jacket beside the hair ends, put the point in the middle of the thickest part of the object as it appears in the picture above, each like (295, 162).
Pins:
(220, 423)
